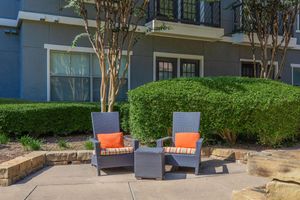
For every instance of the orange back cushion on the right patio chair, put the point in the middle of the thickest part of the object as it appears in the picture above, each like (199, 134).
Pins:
(186, 140)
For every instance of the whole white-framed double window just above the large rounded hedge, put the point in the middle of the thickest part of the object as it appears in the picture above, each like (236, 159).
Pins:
(168, 66)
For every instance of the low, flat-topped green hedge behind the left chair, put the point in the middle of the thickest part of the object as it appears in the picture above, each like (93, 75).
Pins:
(50, 118)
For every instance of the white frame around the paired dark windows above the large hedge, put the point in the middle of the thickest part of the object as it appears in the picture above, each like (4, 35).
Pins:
(200, 58)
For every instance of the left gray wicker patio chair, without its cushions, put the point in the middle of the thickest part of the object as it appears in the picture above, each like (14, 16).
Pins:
(109, 123)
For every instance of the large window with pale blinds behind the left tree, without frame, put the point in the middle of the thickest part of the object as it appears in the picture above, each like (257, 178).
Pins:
(75, 76)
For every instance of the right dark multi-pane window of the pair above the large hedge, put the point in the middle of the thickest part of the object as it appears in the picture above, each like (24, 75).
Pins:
(189, 68)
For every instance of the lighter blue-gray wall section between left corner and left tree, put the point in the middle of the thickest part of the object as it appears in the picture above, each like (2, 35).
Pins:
(34, 55)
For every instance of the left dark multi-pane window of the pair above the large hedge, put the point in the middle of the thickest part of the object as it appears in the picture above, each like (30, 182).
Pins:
(166, 68)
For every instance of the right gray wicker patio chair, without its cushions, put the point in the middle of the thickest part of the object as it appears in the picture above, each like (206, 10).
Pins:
(184, 122)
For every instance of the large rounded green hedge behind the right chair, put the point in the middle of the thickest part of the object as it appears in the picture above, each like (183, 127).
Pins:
(256, 109)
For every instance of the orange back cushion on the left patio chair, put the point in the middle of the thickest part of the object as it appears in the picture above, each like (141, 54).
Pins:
(111, 140)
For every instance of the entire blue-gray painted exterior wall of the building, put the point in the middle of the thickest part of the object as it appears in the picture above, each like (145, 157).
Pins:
(24, 58)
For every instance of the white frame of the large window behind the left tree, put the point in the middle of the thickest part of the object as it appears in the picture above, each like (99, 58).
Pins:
(63, 48)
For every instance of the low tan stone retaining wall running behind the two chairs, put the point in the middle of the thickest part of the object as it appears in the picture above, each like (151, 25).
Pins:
(18, 168)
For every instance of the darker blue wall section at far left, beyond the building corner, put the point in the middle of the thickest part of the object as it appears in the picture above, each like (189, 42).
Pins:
(9, 52)
